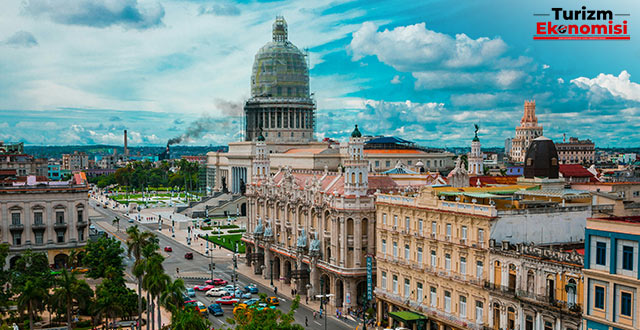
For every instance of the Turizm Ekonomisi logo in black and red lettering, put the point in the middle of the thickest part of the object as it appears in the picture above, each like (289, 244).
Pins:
(582, 24)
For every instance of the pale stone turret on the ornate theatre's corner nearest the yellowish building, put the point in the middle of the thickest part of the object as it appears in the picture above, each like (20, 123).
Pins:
(356, 179)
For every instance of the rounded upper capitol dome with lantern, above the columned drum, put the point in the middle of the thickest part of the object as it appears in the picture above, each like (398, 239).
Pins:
(280, 68)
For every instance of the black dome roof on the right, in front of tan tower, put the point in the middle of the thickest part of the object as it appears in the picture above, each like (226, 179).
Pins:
(541, 159)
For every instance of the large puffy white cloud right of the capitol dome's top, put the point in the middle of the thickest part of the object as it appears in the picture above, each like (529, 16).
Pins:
(414, 47)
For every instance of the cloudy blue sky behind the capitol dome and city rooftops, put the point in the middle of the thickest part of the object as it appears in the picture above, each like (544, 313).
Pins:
(81, 72)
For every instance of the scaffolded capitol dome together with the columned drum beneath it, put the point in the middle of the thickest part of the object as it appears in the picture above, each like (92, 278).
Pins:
(280, 105)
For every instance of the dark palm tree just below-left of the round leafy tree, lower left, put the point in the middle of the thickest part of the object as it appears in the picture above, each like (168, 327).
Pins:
(68, 290)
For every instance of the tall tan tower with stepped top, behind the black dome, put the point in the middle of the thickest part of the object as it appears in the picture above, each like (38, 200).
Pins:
(525, 133)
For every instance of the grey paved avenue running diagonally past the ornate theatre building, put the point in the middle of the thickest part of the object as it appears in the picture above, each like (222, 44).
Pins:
(224, 270)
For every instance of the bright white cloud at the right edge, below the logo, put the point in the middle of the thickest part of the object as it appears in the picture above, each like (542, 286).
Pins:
(620, 86)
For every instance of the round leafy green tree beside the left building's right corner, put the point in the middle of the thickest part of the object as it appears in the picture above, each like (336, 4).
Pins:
(102, 255)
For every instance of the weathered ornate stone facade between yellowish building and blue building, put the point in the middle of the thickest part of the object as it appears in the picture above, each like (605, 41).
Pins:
(535, 287)
